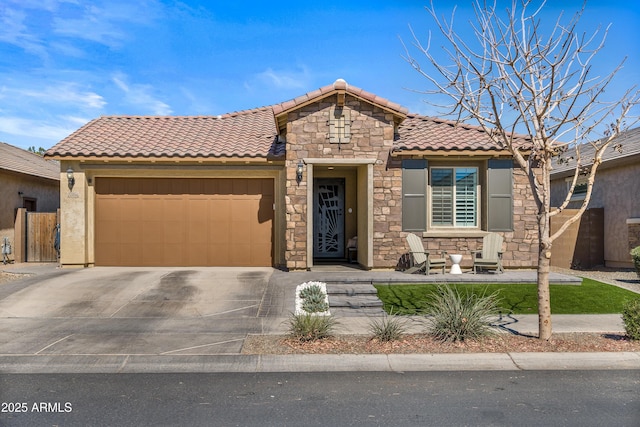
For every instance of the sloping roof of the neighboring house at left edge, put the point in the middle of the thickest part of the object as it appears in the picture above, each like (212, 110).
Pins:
(18, 160)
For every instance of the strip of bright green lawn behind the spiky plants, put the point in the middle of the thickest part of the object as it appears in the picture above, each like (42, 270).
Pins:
(591, 297)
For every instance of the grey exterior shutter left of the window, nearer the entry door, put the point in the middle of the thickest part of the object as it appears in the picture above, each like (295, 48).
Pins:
(414, 197)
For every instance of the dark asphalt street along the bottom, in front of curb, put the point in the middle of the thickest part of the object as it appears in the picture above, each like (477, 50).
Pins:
(534, 398)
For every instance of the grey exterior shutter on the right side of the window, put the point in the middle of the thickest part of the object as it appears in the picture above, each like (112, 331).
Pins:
(500, 195)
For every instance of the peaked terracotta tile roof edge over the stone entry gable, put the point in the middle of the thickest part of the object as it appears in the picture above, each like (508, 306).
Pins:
(338, 85)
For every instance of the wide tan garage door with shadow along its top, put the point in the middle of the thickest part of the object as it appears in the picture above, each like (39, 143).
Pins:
(183, 222)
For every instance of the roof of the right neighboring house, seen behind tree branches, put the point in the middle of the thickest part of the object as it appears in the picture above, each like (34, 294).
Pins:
(625, 146)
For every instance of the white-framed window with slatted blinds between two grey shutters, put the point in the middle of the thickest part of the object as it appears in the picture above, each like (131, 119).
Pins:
(454, 197)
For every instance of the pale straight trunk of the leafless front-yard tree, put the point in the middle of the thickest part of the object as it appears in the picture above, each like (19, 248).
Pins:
(544, 262)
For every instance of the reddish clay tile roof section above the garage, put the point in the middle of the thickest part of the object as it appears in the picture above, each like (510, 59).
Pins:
(245, 134)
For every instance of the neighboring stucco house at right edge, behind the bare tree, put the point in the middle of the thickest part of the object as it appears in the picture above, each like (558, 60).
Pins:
(615, 190)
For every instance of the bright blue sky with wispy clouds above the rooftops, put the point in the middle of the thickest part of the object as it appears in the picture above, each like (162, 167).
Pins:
(65, 62)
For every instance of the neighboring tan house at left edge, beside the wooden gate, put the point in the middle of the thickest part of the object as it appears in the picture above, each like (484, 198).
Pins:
(26, 181)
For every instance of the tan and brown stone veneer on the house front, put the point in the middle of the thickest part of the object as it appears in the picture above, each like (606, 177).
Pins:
(372, 133)
